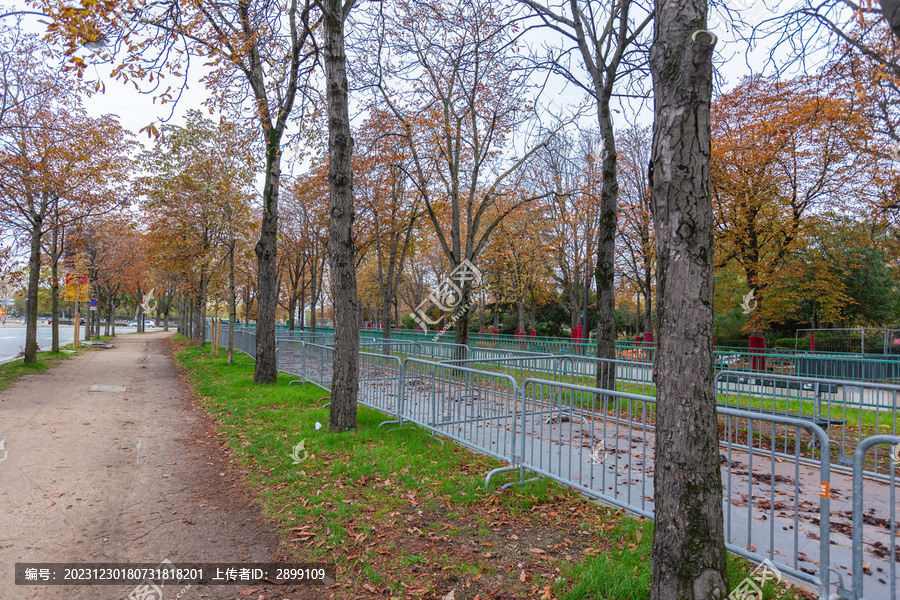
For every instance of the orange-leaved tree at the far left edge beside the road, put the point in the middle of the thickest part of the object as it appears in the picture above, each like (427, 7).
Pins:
(56, 164)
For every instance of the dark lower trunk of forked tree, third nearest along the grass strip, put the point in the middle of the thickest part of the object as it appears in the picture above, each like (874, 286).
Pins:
(267, 292)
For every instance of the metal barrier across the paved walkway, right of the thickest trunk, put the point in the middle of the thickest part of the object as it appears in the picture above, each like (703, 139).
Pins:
(848, 410)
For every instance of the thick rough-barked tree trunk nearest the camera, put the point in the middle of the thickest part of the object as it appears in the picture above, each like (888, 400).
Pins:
(688, 561)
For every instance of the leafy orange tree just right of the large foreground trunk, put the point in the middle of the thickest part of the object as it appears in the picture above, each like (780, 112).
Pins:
(782, 151)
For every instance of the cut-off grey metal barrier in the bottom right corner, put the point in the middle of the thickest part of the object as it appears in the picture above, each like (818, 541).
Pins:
(874, 524)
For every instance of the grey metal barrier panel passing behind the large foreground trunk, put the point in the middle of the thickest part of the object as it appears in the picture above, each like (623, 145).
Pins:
(602, 443)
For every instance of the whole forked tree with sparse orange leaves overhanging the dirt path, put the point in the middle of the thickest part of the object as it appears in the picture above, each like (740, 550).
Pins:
(262, 56)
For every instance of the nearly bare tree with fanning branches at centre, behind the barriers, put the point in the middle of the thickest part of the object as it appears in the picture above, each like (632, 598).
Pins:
(459, 93)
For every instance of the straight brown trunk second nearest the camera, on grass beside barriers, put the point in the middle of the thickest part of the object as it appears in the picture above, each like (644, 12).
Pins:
(345, 378)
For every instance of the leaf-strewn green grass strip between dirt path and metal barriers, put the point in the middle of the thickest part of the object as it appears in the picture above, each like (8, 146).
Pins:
(349, 488)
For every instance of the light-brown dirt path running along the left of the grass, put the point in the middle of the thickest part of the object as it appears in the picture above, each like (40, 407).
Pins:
(119, 476)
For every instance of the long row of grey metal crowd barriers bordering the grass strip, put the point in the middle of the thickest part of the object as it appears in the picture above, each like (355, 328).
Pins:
(779, 488)
